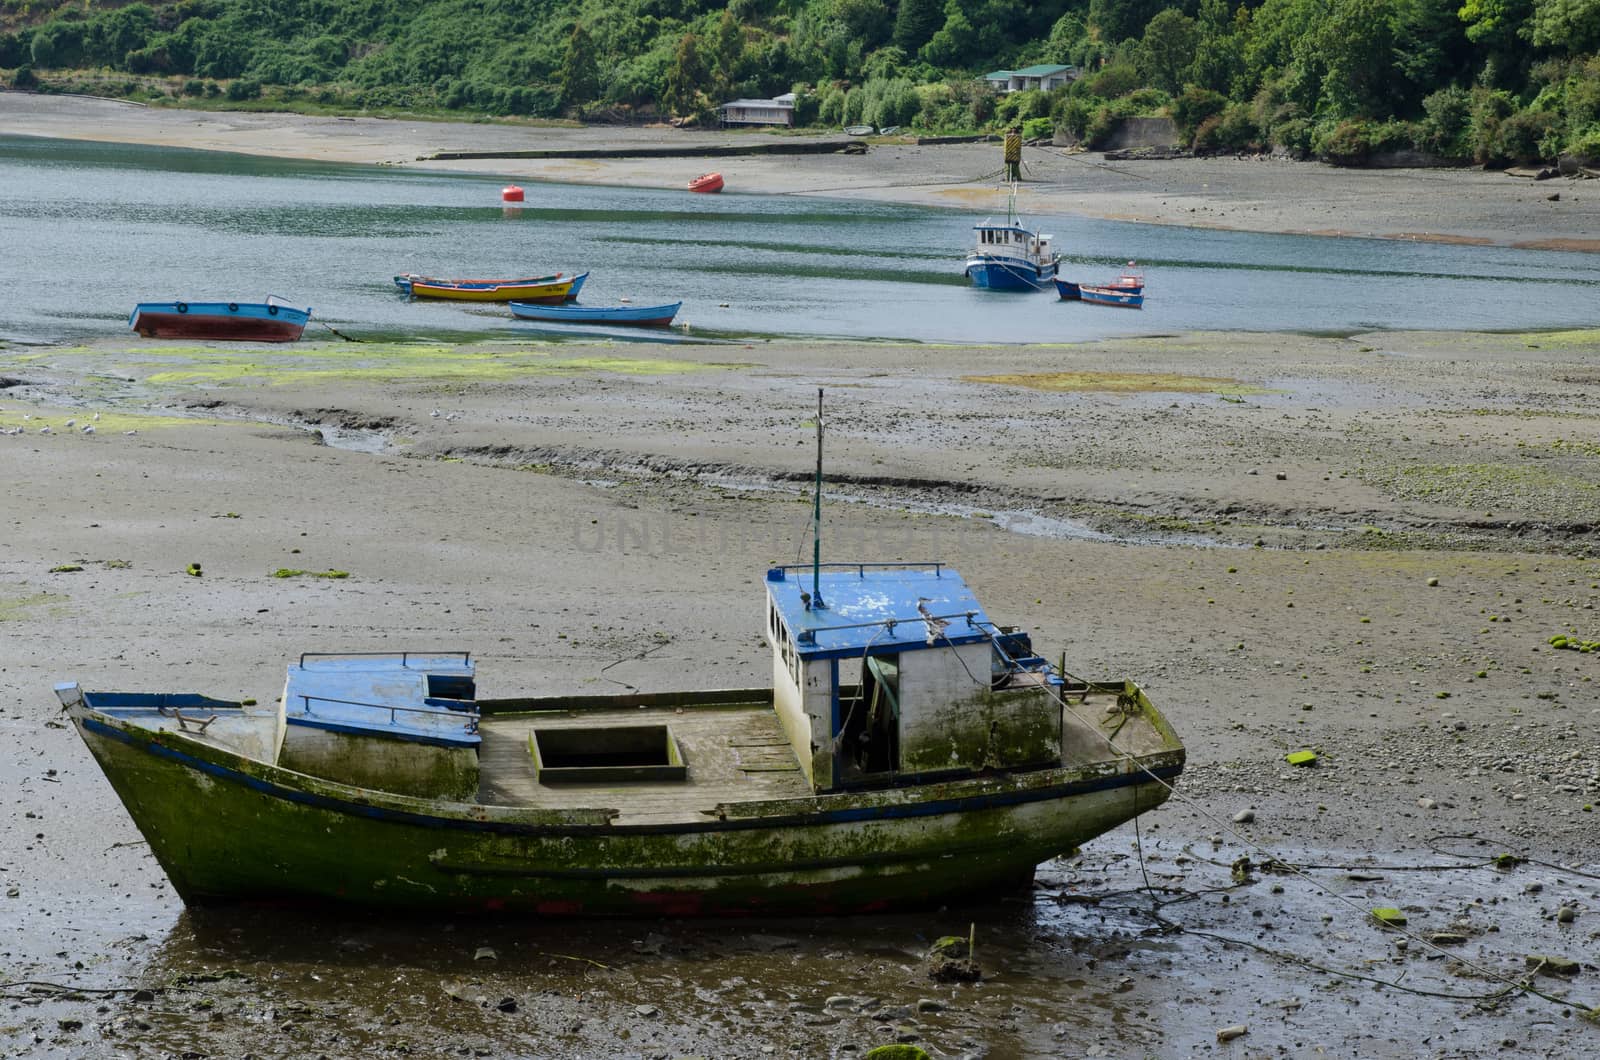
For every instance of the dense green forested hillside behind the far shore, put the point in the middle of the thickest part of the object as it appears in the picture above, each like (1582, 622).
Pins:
(1490, 81)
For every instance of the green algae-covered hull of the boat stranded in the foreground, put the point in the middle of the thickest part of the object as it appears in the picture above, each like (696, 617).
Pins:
(228, 827)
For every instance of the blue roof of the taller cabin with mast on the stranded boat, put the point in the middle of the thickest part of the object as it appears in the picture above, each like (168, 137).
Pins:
(876, 609)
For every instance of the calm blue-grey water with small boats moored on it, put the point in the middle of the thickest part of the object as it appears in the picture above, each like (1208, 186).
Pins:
(92, 230)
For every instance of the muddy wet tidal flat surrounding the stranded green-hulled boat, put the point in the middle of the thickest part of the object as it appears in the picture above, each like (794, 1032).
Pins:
(1356, 545)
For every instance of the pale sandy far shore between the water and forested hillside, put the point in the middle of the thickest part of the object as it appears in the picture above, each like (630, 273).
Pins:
(1258, 195)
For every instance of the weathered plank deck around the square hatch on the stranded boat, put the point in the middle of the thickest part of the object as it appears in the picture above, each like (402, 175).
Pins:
(734, 755)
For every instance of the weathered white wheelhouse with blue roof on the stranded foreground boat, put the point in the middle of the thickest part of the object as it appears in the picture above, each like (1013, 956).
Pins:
(890, 675)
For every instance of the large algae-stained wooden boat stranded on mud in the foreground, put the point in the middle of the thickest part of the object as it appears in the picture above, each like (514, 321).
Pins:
(910, 752)
